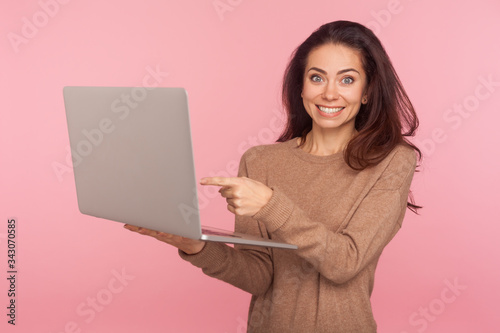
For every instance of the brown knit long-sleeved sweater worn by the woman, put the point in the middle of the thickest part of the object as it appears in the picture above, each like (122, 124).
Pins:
(340, 219)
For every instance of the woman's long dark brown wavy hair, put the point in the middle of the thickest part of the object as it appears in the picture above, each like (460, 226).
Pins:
(384, 122)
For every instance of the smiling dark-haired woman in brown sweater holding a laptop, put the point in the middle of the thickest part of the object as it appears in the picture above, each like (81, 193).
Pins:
(336, 184)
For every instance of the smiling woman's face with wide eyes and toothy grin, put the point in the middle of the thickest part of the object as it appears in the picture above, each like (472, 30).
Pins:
(334, 85)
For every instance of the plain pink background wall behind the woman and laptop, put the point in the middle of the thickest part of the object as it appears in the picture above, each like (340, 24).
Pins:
(231, 63)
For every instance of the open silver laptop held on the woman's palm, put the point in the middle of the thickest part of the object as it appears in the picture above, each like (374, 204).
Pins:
(133, 160)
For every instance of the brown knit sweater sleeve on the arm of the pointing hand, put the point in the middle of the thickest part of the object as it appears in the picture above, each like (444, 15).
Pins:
(339, 255)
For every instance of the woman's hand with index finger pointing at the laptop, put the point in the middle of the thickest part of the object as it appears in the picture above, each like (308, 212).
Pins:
(244, 196)
